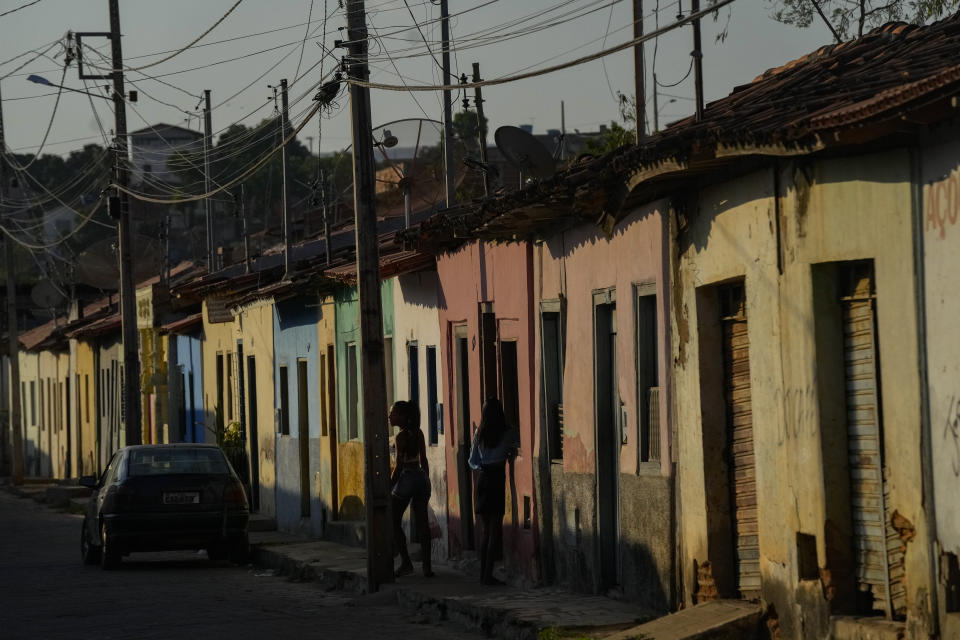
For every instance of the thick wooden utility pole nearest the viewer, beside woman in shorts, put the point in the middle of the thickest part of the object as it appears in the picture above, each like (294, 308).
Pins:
(376, 445)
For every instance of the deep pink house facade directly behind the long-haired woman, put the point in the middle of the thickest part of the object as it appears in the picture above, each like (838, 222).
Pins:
(487, 332)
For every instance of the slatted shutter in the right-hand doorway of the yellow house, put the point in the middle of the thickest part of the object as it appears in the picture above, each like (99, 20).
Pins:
(877, 547)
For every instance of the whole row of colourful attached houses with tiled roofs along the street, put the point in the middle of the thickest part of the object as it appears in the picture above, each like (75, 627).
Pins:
(730, 351)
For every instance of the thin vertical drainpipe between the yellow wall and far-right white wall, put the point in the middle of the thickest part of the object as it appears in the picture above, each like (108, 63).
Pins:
(926, 435)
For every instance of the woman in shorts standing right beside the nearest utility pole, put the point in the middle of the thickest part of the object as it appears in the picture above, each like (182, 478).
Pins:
(411, 482)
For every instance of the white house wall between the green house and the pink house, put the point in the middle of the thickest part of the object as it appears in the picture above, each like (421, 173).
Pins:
(416, 319)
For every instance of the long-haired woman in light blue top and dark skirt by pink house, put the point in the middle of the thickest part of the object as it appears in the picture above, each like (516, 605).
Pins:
(492, 447)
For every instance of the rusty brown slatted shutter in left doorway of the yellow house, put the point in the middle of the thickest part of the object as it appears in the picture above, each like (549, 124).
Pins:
(737, 396)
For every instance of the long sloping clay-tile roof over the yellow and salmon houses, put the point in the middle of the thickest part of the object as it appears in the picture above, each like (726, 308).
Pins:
(834, 98)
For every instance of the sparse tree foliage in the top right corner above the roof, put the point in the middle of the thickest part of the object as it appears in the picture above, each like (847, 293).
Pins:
(853, 18)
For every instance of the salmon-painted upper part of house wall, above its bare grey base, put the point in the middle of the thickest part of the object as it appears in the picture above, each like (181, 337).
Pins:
(574, 264)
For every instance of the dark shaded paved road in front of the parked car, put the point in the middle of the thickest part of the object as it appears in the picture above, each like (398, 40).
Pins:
(47, 593)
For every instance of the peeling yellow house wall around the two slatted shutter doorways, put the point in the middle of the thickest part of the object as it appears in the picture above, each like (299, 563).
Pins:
(829, 211)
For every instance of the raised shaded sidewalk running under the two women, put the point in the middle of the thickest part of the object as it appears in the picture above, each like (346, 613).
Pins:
(502, 612)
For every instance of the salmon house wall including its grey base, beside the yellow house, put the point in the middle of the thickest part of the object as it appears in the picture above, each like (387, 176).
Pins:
(570, 267)
